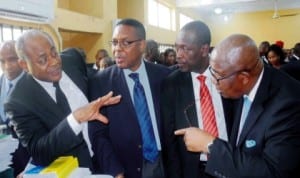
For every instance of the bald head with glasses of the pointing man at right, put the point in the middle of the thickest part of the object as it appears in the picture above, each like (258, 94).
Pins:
(235, 65)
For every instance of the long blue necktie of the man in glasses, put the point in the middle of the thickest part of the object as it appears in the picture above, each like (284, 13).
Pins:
(150, 151)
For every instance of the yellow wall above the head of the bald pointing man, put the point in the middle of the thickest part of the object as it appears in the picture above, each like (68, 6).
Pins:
(260, 26)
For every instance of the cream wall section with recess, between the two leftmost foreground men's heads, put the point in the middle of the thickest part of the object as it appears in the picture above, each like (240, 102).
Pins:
(82, 27)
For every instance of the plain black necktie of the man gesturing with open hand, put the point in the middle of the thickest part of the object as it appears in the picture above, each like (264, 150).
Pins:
(61, 99)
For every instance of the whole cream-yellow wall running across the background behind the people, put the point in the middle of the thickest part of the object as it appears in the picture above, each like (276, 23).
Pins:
(93, 30)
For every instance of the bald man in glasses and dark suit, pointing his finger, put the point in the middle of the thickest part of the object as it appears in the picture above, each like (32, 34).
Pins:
(266, 130)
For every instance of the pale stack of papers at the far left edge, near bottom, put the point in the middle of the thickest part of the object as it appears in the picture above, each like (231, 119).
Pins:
(7, 146)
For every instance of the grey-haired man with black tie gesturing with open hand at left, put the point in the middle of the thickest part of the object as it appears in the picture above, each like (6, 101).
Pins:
(48, 107)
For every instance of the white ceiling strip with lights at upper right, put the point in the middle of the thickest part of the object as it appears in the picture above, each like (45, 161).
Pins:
(206, 7)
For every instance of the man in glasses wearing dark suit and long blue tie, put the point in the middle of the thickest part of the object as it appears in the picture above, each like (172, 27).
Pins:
(119, 146)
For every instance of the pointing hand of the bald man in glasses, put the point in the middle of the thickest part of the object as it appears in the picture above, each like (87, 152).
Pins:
(196, 140)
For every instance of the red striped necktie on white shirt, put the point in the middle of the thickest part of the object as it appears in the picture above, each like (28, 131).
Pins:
(207, 109)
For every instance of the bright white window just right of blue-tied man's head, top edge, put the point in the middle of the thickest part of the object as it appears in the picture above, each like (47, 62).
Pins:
(160, 15)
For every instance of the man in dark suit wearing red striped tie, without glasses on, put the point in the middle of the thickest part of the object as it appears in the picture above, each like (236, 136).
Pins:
(181, 102)
